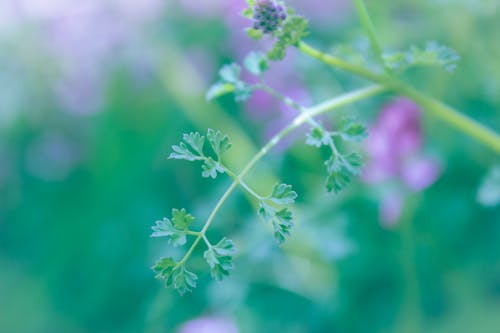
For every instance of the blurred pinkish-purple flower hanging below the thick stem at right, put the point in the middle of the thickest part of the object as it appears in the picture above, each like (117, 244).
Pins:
(394, 148)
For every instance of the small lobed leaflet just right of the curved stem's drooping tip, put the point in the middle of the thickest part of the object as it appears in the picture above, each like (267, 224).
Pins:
(219, 258)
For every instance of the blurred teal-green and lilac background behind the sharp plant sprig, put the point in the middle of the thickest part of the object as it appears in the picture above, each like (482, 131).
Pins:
(94, 93)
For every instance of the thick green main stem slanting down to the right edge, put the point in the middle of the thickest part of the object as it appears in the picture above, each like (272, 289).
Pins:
(482, 134)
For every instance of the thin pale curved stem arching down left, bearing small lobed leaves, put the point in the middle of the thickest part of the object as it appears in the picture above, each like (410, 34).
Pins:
(304, 117)
